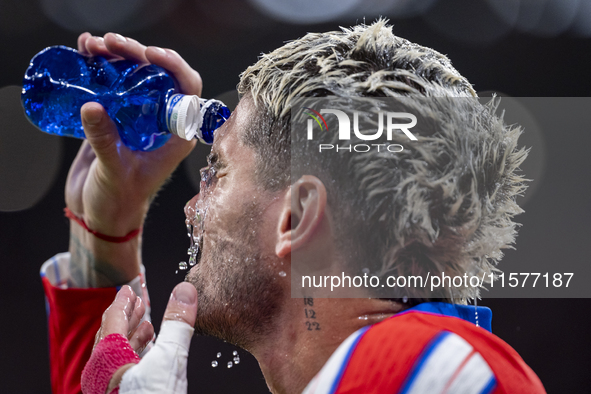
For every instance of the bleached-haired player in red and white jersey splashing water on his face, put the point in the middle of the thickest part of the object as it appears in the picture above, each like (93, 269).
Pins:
(447, 201)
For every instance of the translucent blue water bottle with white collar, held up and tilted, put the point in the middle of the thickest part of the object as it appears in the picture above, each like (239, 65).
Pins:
(142, 100)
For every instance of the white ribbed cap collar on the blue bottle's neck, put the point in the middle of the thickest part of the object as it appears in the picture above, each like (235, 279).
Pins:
(183, 116)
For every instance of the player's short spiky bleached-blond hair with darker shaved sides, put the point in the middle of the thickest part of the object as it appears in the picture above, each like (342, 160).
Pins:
(446, 204)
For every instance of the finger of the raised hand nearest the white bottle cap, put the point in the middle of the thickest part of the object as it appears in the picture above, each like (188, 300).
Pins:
(189, 80)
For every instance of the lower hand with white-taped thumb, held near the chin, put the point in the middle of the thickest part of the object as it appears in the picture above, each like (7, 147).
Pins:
(163, 368)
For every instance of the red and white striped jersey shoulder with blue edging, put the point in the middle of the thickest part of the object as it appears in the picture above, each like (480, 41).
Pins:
(418, 352)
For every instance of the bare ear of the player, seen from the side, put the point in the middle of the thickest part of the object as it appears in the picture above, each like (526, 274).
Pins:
(304, 205)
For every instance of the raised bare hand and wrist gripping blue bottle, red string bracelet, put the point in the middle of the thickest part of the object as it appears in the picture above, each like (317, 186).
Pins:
(111, 186)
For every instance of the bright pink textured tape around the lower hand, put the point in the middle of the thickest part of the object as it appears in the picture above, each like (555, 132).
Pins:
(113, 352)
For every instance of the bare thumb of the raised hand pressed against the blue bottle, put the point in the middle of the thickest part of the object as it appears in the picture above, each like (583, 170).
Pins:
(101, 132)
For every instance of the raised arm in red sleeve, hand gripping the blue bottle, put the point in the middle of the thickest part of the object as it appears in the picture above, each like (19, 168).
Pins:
(109, 188)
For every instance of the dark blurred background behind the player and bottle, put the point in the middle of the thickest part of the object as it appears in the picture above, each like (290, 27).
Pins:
(518, 47)
